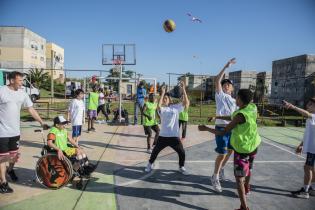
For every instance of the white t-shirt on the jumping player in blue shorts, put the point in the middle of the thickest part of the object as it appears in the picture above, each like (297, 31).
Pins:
(225, 106)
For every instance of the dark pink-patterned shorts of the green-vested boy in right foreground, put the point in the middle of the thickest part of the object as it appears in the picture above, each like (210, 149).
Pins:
(243, 163)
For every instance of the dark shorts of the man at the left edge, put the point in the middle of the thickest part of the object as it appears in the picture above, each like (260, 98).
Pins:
(9, 145)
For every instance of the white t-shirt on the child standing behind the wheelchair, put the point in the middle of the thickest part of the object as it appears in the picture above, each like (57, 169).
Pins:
(76, 109)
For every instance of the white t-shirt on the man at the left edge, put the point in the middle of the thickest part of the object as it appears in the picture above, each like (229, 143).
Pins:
(11, 102)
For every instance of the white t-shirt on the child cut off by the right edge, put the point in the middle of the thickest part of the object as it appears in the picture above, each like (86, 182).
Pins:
(309, 136)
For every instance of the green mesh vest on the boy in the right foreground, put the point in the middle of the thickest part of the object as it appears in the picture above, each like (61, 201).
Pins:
(245, 137)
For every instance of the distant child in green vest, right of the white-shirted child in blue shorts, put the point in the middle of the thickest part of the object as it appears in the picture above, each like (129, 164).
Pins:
(92, 108)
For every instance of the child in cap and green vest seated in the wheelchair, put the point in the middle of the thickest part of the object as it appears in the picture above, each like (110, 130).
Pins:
(58, 139)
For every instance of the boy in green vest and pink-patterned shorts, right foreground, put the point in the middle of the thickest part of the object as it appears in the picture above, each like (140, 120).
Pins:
(244, 140)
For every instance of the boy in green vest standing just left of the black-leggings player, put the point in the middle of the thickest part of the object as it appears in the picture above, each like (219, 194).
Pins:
(150, 121)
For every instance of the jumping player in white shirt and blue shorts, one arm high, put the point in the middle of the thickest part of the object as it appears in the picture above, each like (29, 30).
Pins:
(225, 106)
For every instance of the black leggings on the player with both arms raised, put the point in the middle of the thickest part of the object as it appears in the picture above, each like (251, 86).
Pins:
(173, 142)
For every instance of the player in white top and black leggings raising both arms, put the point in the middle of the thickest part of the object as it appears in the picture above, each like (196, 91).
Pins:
(169, 134)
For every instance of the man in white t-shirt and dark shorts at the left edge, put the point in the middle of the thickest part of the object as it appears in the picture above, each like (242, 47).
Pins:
(12, 98)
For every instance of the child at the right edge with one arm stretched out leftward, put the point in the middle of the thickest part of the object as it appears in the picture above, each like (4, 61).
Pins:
(308, 147)
